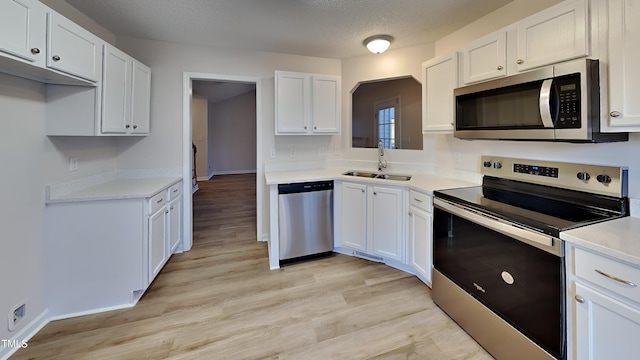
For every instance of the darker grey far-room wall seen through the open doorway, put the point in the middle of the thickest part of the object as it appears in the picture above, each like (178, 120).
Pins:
(232, 135)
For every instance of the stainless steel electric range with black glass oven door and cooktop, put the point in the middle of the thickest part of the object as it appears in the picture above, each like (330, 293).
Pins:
(498, 259)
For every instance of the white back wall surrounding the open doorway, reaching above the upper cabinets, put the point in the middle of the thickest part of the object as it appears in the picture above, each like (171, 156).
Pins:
(168, 61)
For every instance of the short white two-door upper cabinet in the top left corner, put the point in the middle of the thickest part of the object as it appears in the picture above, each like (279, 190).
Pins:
(40, 44)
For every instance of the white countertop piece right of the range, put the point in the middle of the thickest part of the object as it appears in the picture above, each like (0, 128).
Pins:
(616, 238)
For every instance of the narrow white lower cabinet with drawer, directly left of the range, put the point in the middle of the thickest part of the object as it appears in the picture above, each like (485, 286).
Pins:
(420, 235)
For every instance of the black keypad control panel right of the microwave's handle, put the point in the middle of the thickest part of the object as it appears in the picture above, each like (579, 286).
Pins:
(568, 88)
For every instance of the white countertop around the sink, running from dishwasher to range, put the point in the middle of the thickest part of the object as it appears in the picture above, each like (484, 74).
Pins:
(421, 182)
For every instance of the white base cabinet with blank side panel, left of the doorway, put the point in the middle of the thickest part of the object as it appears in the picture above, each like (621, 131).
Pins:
(104, 254)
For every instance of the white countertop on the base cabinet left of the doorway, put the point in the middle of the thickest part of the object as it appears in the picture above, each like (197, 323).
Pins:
(114, 189)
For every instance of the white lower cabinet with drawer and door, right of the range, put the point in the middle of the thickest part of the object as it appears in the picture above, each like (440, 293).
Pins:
(604, 307)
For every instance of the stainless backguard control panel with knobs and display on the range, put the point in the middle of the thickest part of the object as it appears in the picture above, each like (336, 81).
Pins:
(597, 179)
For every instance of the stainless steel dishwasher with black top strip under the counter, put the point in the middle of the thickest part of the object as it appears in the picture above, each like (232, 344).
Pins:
(305, 213)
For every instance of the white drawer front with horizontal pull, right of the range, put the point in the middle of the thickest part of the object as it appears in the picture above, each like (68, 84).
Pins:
(617, 277)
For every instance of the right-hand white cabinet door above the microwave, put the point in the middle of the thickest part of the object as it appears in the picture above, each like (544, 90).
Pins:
(553, 35)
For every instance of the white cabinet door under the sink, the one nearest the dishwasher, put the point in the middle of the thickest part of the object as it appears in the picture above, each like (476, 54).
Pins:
(354, 216)
